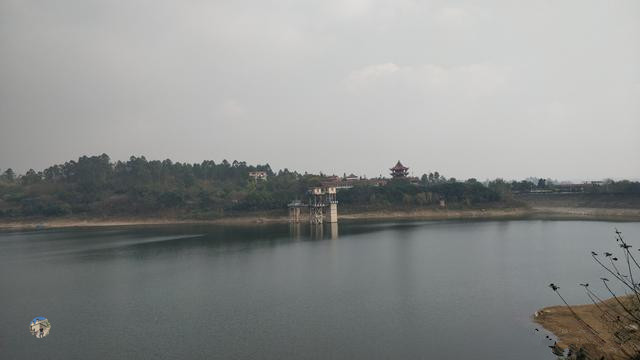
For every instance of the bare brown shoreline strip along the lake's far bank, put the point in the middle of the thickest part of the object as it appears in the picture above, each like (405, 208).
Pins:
(522, 213)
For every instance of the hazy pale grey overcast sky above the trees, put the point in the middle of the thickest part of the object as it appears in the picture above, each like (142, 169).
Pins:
(469, 88)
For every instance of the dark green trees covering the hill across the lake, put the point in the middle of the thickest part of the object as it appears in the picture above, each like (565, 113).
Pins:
(96, 186)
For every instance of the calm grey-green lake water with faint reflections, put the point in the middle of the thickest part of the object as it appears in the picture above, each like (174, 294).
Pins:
(427, 290)
